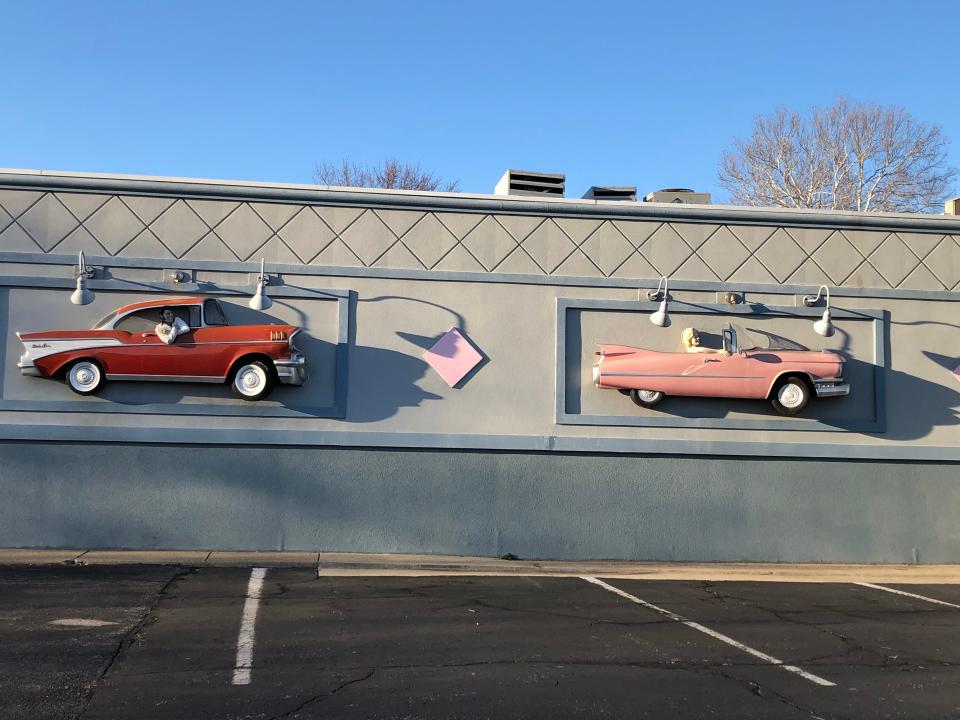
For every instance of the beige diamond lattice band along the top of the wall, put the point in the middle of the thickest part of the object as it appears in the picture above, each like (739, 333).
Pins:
(118, 225)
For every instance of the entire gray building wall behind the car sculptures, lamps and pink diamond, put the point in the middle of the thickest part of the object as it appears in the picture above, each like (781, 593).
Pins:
(382, 455)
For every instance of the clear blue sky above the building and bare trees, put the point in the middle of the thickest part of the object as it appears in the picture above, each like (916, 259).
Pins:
(646, 94)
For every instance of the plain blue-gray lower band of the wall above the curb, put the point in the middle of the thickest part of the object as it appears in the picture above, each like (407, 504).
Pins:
(546, 505)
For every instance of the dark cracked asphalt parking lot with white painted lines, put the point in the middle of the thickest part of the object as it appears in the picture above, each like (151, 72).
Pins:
(180, 642)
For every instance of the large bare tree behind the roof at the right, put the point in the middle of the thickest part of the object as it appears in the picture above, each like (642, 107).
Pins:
(850, 156)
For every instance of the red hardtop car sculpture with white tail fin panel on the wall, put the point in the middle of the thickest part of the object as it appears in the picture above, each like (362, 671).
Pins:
(124, 346)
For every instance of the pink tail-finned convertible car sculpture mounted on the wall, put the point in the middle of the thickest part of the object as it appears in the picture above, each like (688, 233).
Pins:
(783, 372)
